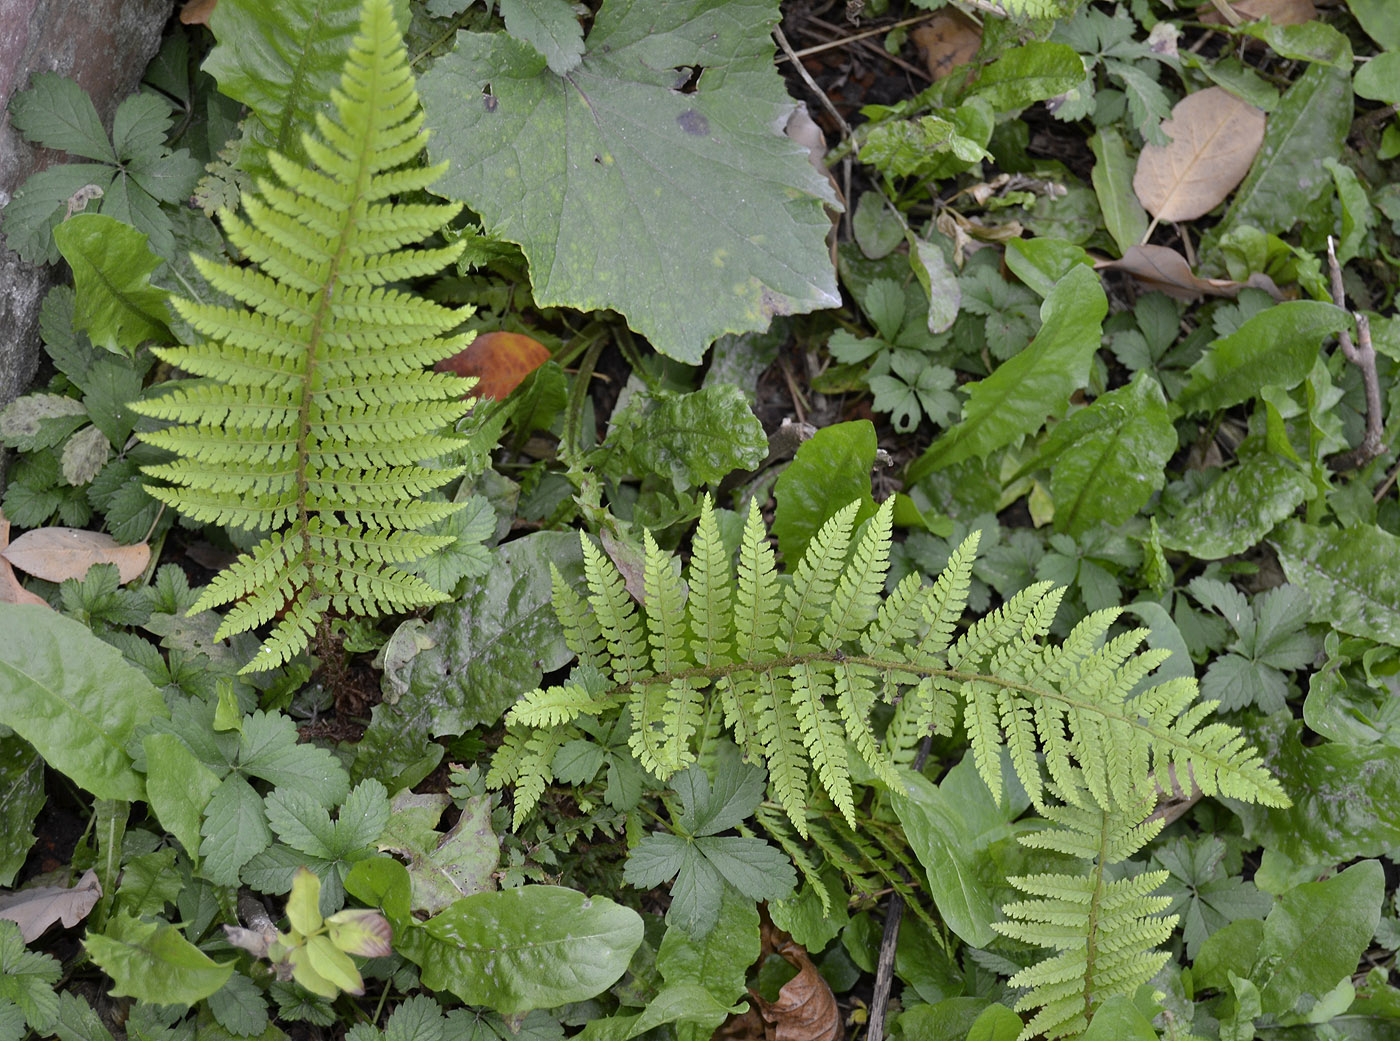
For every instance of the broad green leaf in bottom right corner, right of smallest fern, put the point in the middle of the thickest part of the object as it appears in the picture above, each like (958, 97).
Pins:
(1317, 934)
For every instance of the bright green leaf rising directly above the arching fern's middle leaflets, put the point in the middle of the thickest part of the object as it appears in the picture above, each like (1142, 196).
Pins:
(831, 469)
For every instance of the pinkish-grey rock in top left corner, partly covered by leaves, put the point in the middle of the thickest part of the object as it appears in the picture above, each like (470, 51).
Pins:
(106, 45)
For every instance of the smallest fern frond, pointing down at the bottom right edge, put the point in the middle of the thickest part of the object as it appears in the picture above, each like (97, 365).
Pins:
(1105, 933)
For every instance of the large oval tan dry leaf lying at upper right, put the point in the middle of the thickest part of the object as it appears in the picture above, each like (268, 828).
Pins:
(1214, 141)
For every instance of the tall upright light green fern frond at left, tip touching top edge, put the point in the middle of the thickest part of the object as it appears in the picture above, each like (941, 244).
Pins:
(316, 413)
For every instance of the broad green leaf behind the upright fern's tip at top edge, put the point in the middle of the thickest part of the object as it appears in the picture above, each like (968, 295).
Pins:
(282, 61)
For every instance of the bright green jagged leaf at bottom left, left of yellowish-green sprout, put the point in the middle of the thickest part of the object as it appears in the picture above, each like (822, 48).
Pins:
(155, 963)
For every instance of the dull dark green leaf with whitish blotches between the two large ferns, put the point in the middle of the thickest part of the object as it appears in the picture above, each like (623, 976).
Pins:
(496, 642)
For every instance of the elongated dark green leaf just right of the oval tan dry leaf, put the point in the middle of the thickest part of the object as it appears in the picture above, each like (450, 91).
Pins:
(1289, 183)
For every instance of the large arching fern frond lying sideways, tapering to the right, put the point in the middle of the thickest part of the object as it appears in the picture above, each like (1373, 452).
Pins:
(797, 668)
